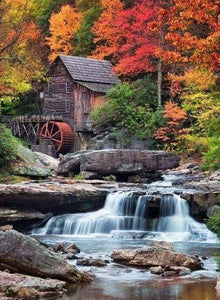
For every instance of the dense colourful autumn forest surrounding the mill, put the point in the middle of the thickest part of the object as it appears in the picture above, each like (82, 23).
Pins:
(165, 52)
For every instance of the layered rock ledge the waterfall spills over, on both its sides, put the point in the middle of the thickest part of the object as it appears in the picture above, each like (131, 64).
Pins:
(30, 203)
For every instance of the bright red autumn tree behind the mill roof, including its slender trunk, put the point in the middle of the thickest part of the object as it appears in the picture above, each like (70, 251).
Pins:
(132, 37)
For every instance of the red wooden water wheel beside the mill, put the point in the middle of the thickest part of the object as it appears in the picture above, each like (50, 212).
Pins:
(60, 134)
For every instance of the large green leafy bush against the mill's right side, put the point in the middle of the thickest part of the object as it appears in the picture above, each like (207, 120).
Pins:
(131, 108)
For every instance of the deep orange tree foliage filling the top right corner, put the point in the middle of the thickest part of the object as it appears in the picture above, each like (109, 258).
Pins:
(193, 33)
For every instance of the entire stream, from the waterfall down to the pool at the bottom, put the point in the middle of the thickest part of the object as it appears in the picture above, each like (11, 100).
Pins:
(124, 222)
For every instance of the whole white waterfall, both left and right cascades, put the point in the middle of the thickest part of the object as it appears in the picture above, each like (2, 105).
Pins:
(123, 211)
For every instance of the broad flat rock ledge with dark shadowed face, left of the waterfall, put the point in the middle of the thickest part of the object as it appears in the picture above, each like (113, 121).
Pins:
(55, 196)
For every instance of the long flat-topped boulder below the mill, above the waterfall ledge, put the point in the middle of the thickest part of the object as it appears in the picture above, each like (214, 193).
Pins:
(117, 162)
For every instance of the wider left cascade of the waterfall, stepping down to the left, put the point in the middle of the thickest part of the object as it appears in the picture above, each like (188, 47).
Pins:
(120, 212)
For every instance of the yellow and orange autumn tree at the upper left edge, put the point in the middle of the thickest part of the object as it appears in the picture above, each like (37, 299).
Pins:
(19, 42)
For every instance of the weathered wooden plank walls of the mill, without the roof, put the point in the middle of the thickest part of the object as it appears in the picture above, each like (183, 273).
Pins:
(81, 100)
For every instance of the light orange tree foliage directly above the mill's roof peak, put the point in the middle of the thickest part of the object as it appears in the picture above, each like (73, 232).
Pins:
(63, 26)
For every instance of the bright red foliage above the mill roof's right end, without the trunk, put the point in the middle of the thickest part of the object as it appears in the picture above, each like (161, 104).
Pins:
(129, 40)
